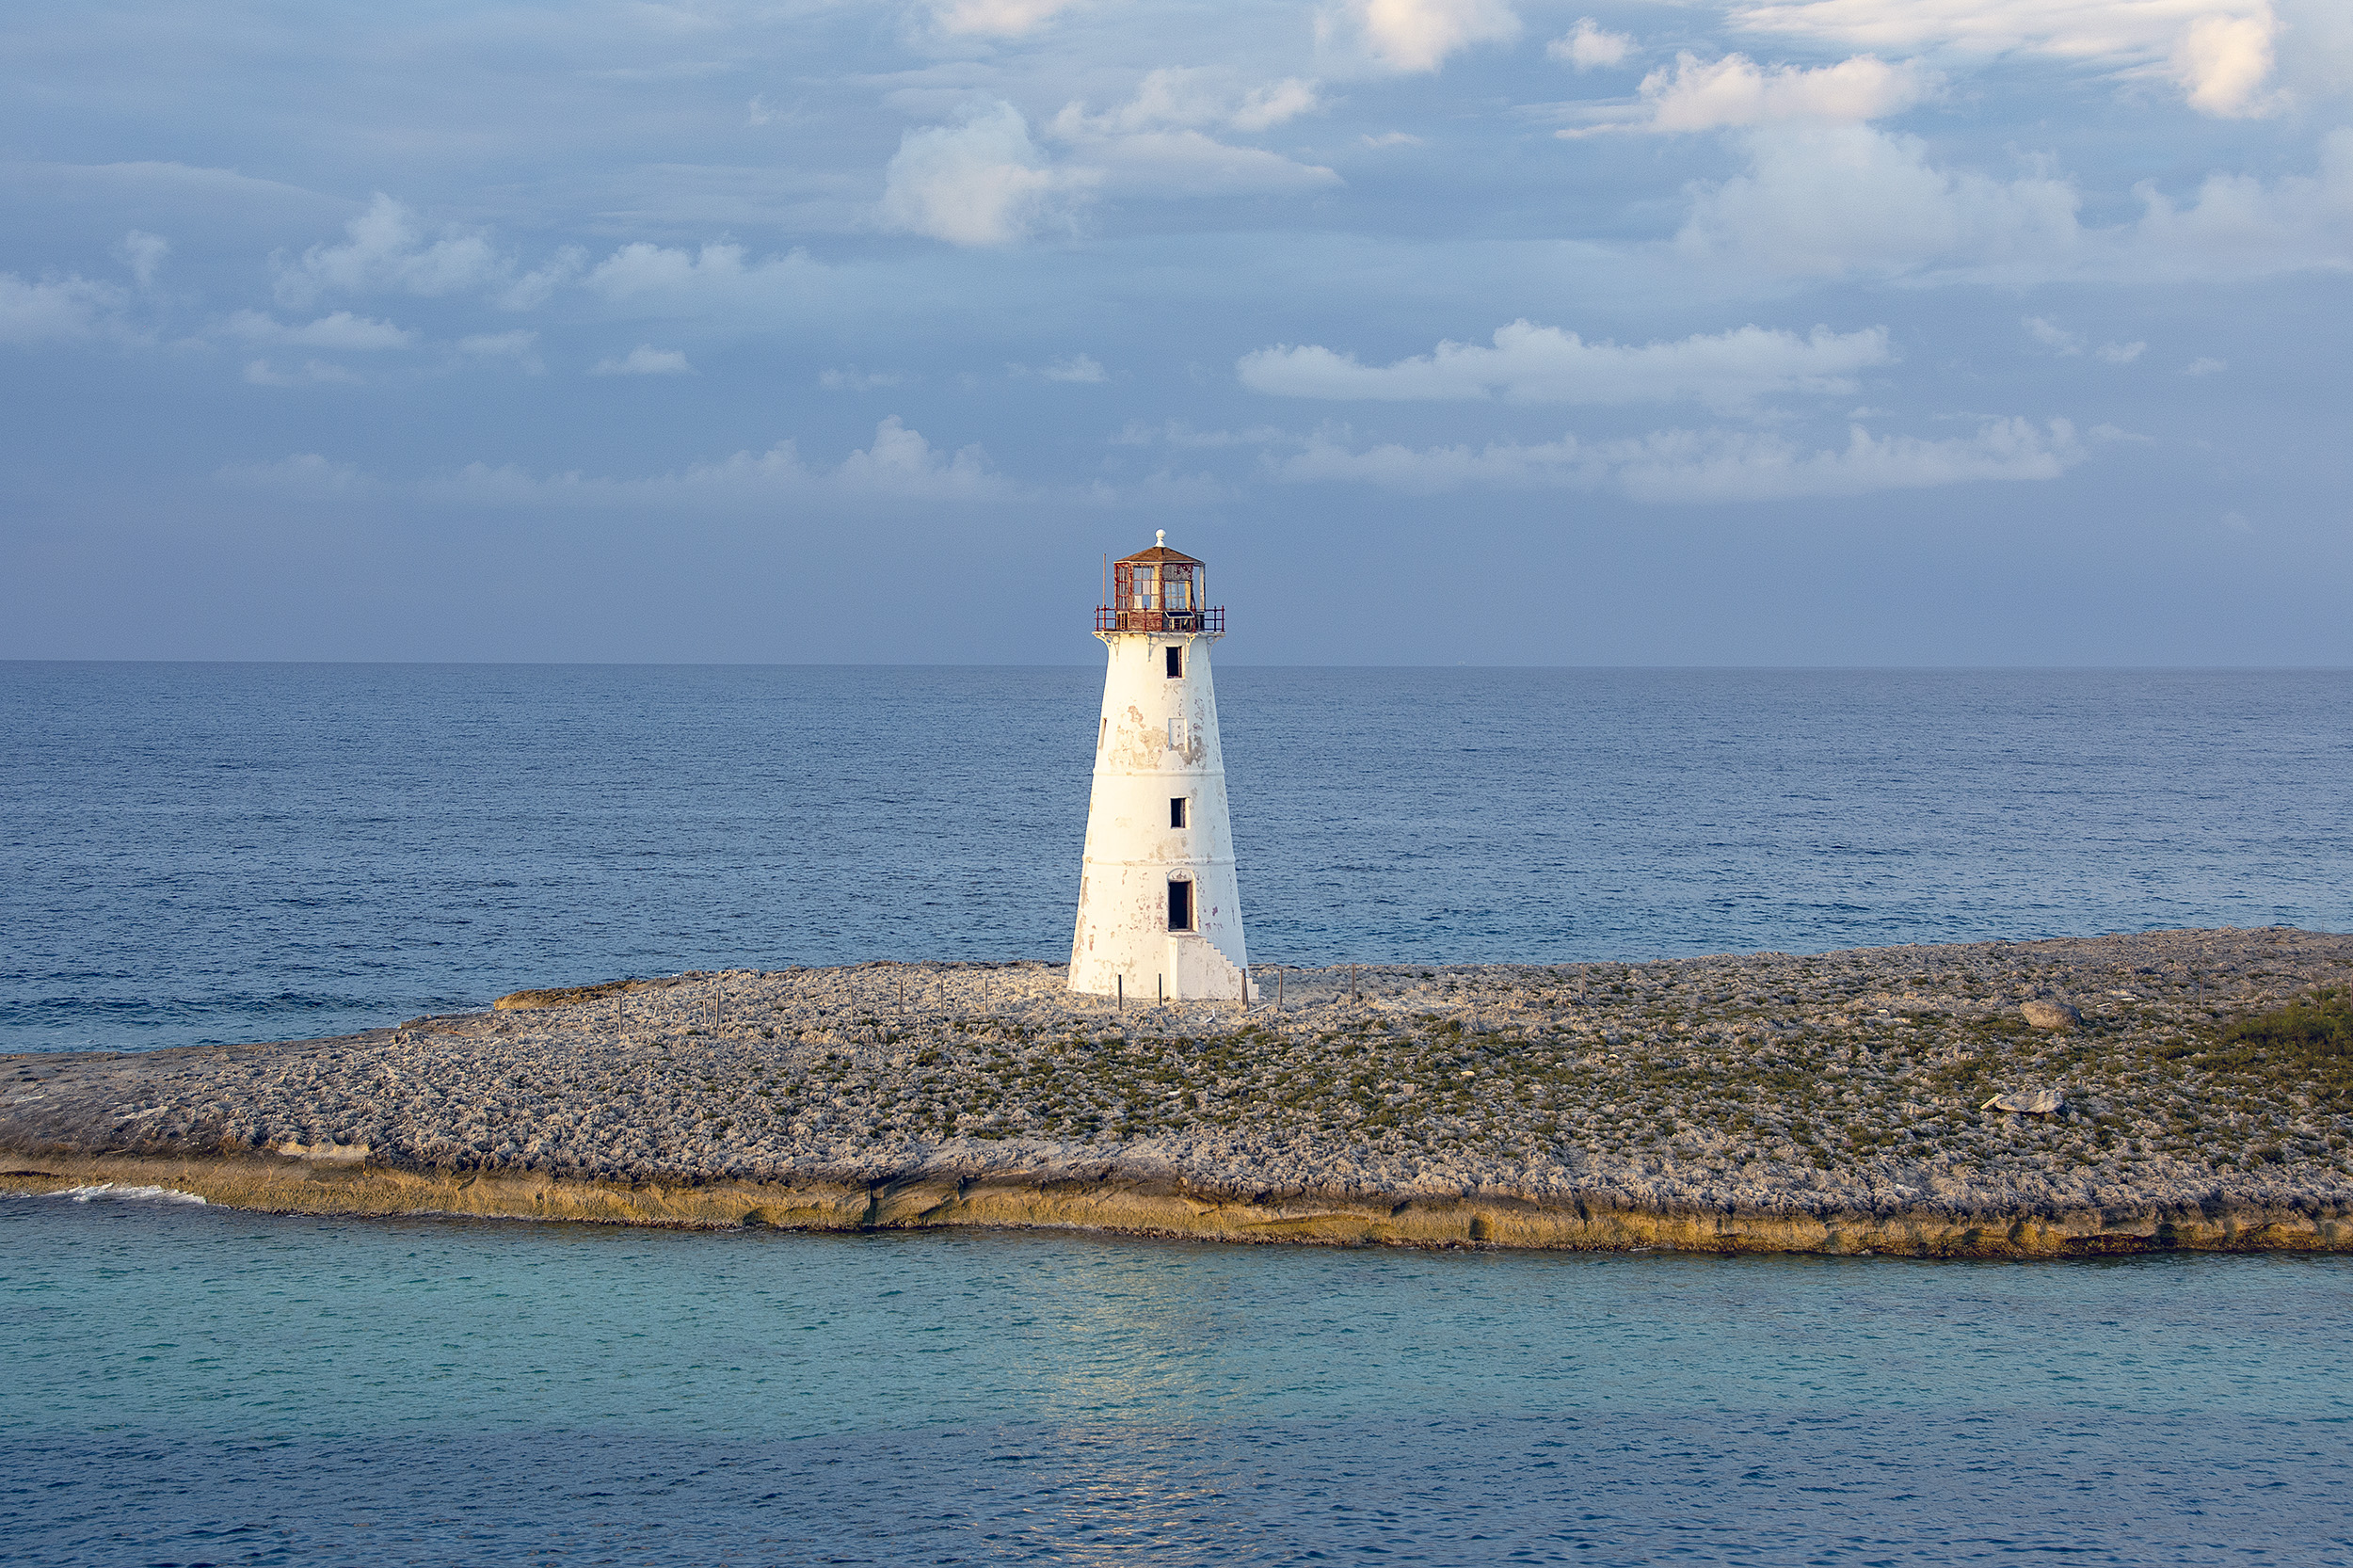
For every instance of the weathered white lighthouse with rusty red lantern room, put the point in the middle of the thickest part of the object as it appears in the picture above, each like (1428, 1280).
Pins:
(1159, 908)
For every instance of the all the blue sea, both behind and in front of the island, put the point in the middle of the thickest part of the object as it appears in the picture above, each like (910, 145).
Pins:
(232, 853)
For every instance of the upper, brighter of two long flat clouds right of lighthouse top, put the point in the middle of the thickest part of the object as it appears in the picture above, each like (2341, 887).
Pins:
(1533, 364)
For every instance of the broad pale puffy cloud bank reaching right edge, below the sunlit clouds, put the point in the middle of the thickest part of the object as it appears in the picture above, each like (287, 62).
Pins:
(1855, 201)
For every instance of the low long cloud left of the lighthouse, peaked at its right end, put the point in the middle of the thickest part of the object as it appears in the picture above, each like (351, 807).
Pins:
(895, 467)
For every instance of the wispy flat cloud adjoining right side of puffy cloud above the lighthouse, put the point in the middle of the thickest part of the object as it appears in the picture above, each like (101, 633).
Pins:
(1156, 140)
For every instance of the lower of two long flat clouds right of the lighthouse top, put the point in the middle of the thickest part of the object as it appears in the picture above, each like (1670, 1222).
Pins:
(1705, 467)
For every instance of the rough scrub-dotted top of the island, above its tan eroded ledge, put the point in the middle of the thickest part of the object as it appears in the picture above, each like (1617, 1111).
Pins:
(2201, 1058)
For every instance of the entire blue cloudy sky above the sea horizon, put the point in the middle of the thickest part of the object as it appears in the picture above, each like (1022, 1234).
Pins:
(1444, 331)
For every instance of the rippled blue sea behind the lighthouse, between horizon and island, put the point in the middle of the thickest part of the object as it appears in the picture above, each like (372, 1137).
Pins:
(229, 853)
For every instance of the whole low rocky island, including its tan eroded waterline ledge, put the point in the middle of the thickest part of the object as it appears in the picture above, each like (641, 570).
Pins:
(1841, 1103)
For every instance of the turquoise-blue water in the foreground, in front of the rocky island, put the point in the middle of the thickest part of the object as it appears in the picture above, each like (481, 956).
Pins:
(199, 1386)
